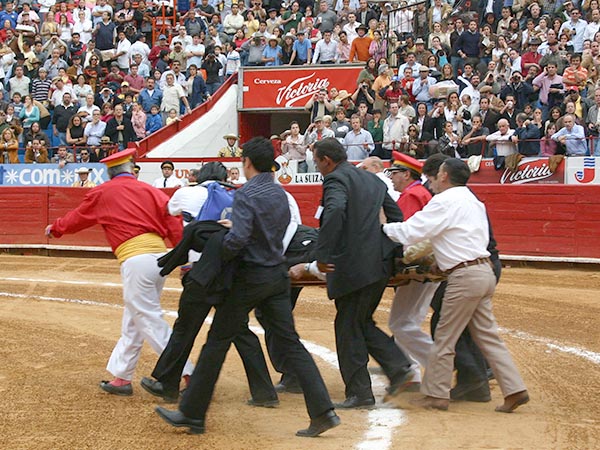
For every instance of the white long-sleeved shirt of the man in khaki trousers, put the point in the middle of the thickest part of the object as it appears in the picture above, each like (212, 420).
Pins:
(454, 221)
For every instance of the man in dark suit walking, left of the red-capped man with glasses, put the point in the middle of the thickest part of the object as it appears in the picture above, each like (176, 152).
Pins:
(357, 258)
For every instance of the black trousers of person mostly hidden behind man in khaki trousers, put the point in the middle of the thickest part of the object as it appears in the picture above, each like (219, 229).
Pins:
(471, 366)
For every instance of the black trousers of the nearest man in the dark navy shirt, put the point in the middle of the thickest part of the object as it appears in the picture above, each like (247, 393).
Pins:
(273, 298)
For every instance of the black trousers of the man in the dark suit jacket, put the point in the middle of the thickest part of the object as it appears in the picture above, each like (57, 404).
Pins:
(357, 336)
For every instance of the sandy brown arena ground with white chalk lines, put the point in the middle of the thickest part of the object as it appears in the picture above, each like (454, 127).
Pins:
(57, 335)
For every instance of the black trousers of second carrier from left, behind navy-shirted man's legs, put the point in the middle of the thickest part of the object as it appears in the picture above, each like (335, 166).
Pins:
(191, 315)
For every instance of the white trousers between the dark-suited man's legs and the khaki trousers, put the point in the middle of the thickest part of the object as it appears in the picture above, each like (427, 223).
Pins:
(409, 309)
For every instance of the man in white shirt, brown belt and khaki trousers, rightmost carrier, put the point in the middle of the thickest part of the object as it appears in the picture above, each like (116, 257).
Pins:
(455, 222)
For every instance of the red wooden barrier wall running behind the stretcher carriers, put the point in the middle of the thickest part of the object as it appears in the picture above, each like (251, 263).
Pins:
(559, 221)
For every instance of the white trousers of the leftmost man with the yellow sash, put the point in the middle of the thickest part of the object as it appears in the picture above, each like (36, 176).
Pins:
(142, 317)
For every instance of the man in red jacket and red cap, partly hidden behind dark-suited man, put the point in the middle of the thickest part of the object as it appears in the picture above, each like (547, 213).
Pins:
(411, 301)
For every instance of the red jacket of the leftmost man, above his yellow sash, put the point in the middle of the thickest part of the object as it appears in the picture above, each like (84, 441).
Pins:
(126, 208)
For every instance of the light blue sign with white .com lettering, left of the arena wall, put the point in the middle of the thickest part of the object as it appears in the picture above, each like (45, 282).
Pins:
(48, 174)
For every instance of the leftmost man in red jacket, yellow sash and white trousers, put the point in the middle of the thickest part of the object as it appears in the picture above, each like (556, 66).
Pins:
(136, 221)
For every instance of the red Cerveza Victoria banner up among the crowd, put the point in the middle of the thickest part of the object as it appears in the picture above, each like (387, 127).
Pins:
(291, 87)
